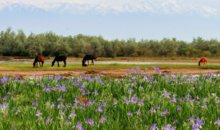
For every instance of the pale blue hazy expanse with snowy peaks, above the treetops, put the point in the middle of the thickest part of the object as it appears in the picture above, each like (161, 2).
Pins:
(115, 19)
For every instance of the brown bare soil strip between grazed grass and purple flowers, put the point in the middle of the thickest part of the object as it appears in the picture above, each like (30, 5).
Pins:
(112, 72)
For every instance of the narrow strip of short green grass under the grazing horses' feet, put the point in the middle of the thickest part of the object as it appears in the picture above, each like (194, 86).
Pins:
(79, 66)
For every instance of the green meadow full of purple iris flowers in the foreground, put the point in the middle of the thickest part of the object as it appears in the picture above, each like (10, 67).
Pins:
(139, 101)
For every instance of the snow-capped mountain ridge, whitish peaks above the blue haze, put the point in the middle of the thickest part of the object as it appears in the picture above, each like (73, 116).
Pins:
(168, 7)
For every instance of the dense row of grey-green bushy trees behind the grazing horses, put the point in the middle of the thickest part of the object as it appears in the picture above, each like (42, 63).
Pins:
(50, 44)
